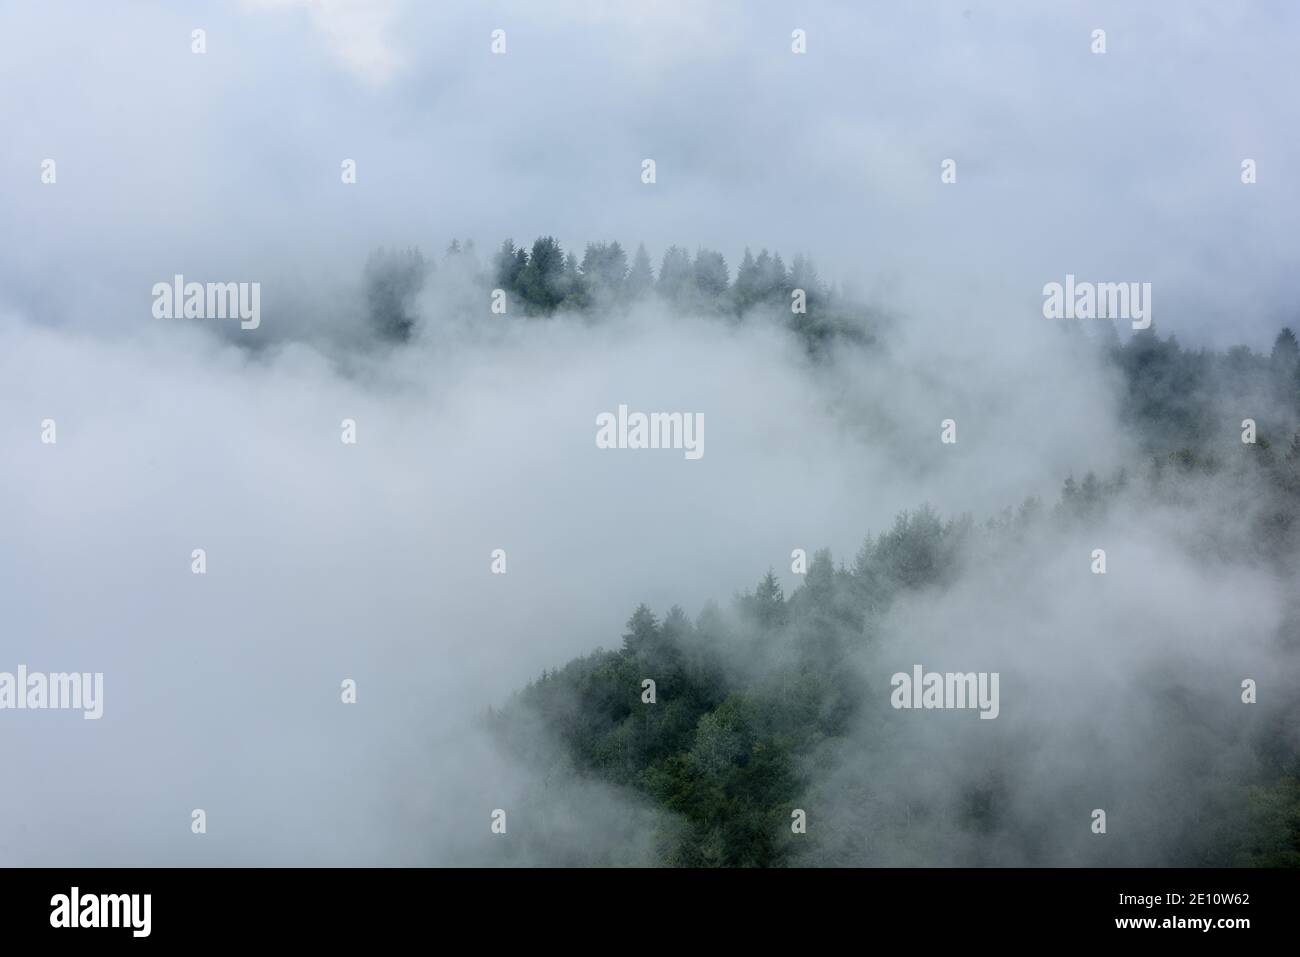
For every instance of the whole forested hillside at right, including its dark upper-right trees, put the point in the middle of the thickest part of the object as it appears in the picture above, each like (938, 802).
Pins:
(764, 700)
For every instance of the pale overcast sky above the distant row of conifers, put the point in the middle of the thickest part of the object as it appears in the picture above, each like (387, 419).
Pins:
(1117, 167)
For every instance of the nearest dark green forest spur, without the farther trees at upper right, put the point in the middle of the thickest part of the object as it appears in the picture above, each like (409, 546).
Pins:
(731, 752)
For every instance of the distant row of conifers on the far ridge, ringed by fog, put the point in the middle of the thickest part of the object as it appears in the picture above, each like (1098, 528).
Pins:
(543, 280)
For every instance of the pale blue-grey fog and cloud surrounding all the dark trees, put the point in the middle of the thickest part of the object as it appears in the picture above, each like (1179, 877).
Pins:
(372, 562)
